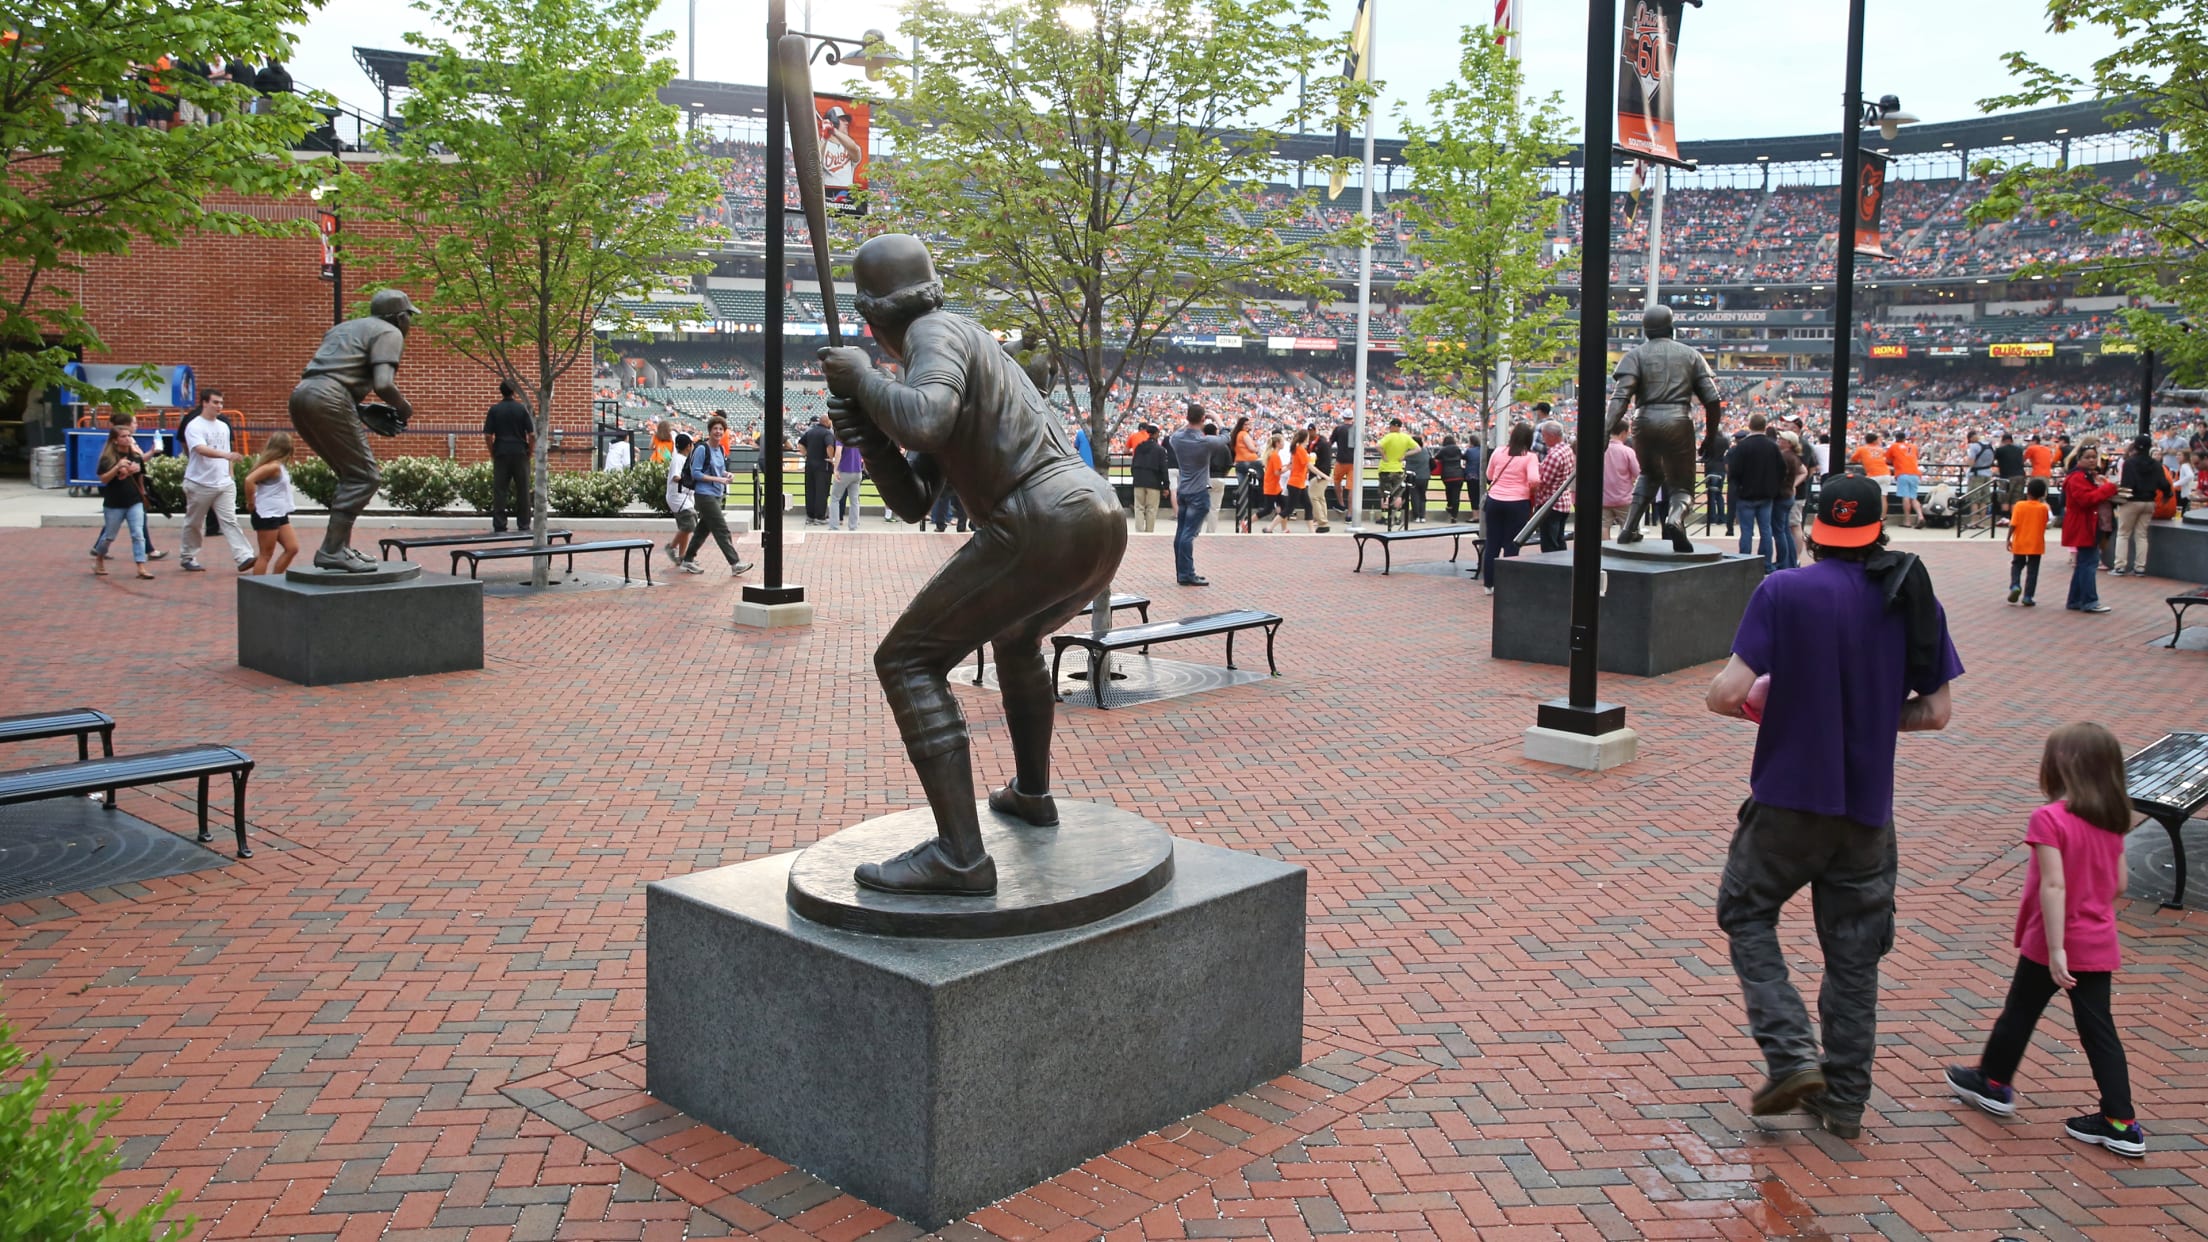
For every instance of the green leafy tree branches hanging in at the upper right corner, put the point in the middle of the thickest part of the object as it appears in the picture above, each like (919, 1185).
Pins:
(2154, 76)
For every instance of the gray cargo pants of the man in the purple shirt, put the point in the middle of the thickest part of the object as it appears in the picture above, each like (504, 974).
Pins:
(1849, 872)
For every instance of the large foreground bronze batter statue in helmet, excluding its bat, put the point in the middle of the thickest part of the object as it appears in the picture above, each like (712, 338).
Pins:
(1048, 540)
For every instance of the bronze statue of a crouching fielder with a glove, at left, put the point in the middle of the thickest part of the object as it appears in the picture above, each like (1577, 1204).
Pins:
(332, 414)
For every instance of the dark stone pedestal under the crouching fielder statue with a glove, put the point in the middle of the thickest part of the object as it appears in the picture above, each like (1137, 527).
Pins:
(350, 631)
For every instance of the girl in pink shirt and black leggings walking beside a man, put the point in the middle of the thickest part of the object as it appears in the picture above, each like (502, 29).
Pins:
(2066, 936)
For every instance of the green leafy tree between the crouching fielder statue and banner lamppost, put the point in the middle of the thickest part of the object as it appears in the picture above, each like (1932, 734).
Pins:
(538, 180)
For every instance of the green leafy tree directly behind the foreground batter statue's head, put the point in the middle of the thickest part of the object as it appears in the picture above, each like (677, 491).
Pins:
(1096, 165)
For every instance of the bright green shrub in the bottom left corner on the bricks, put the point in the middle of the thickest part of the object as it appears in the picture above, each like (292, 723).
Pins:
(52, 1168)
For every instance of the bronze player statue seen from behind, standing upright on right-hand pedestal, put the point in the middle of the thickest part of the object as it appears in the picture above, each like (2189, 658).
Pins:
(1666, 377)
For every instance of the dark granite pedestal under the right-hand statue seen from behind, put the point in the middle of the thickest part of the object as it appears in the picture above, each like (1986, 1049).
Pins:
(1659, 613)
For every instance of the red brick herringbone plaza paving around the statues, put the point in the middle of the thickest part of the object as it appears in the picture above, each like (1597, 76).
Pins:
(418, 1009)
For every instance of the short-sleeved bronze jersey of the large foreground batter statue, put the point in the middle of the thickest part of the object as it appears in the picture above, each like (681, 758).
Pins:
(1004, 432)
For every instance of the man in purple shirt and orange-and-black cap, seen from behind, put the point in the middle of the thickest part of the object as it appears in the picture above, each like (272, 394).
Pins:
(1834, 662)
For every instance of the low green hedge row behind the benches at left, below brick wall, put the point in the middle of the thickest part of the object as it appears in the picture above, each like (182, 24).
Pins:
(434, 485)
